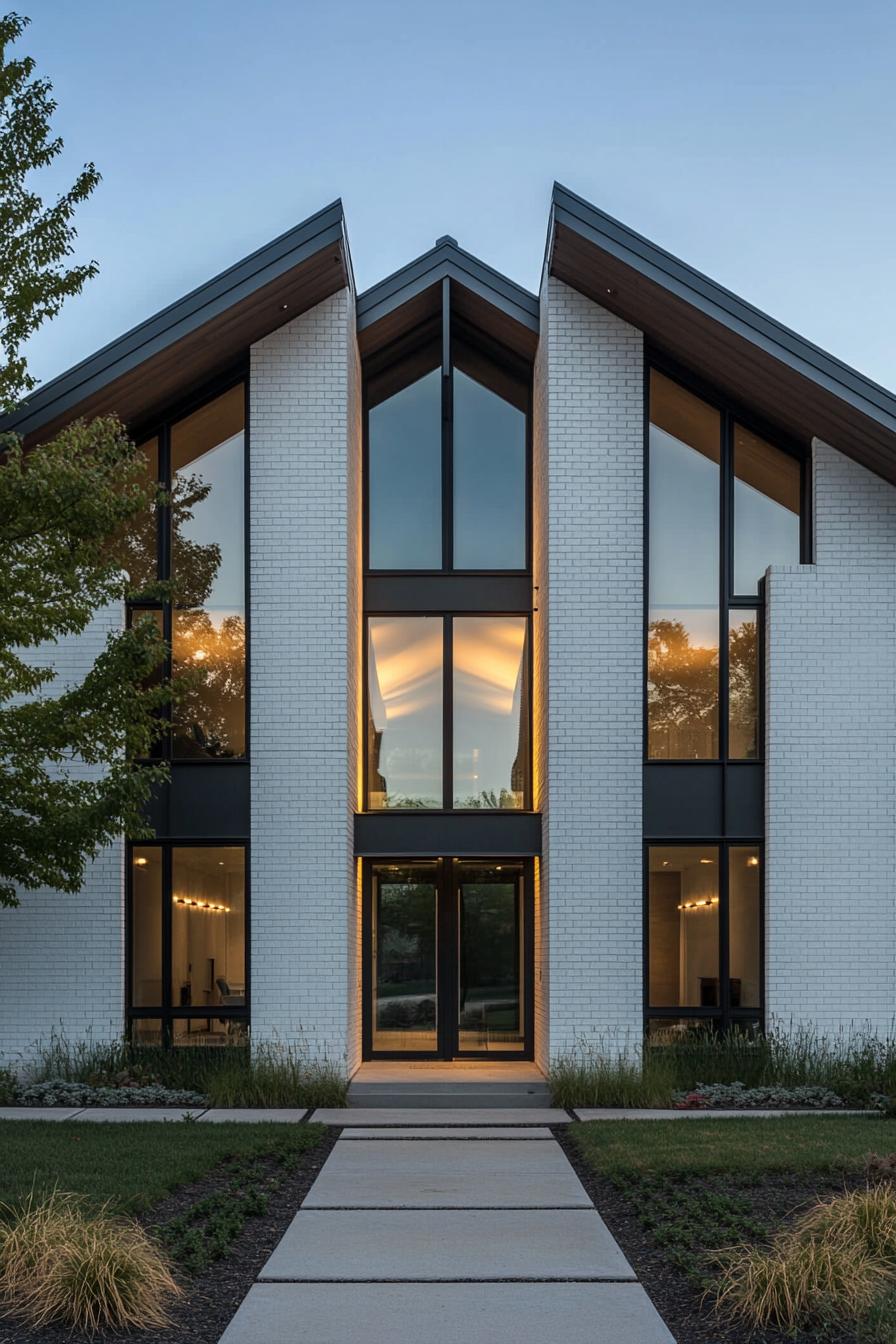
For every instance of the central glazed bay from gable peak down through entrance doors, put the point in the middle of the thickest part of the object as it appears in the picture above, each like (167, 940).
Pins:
(448, 691)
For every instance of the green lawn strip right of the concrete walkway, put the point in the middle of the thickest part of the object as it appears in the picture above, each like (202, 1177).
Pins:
(748, 1147)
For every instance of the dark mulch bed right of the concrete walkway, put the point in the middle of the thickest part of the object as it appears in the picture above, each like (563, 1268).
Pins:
(675, 1296)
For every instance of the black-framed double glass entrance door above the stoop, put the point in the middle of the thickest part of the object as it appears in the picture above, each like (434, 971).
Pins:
(448, 956)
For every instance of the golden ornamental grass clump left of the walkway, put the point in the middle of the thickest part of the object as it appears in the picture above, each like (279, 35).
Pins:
(60, 1263)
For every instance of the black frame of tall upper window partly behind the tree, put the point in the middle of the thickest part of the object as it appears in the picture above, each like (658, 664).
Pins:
(159, 428)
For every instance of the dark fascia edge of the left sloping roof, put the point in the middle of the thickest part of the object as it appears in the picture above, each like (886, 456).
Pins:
(64, 394)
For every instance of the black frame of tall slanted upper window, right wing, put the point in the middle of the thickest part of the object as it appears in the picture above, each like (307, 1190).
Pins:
(730, 416)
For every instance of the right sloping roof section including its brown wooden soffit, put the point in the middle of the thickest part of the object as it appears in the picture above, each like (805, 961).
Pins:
(749, 355)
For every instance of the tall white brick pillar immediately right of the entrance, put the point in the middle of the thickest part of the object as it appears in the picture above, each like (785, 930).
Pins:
(590, 393)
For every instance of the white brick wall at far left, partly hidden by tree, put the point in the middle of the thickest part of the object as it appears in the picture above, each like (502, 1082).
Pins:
(62, 956)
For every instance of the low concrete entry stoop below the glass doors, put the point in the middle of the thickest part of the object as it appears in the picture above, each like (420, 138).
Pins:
(456, 1087)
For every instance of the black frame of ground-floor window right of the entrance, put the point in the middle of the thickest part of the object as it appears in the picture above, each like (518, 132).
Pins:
(725, 1017)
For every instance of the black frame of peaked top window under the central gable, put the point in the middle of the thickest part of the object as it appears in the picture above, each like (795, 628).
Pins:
(449, 327)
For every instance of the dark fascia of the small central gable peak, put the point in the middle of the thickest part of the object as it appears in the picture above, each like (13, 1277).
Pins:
(448, 261)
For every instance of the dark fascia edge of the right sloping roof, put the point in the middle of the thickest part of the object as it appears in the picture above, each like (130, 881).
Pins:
(721, 304)
